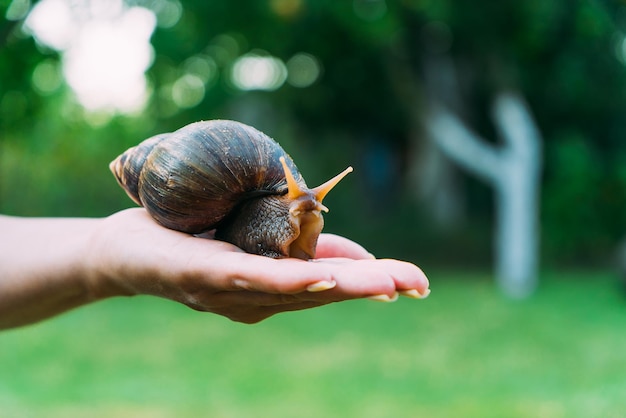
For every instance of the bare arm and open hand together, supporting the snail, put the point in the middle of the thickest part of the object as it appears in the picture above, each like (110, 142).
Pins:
(51, 265)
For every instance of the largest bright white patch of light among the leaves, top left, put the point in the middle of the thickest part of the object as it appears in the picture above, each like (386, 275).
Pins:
(105, 49)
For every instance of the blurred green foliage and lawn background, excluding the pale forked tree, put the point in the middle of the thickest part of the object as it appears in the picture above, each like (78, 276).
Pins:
(337, 83)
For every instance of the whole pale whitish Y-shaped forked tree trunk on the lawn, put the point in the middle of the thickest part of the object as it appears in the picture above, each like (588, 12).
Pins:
(513, 171)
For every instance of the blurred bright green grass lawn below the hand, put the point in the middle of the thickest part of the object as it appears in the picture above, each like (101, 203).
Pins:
(464, 352)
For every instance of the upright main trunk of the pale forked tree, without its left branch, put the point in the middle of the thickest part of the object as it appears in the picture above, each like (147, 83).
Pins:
(517, 188)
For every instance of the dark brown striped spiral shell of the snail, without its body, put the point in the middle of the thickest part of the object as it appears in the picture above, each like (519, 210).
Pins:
(192, 179)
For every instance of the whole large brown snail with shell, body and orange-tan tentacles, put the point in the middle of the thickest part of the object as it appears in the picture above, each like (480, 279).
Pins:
(229, 177)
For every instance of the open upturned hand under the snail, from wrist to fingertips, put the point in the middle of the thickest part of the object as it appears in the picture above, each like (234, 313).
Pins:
(130, 255)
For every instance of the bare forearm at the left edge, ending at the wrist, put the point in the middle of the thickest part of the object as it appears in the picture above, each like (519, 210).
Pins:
(42, 267)
